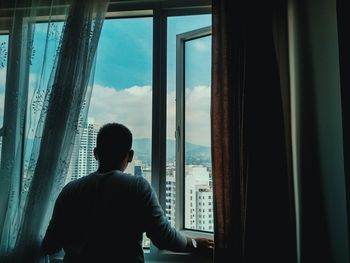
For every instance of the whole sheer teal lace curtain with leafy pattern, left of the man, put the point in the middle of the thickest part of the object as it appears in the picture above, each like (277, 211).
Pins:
(49, 75)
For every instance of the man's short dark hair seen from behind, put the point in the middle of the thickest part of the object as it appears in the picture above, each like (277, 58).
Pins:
(114, 141)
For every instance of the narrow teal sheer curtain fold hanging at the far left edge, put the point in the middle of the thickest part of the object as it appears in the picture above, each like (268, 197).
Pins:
(14, 118)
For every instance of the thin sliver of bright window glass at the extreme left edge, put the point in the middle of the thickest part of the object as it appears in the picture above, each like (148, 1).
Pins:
(3, 68)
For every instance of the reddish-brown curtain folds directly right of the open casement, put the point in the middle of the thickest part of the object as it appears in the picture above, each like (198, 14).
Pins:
(227, 138)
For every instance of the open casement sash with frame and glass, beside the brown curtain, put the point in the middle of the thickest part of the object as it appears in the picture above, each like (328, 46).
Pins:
(193, 128)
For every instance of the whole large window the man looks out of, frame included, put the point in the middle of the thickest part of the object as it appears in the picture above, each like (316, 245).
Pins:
(137, 83)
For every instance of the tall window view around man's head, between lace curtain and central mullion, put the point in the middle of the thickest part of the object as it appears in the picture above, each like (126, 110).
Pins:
(122, 93)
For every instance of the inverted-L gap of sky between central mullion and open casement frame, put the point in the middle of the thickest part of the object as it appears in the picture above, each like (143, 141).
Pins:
(176, 25)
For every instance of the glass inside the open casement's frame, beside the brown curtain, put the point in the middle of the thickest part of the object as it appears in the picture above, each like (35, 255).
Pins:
(198, 175)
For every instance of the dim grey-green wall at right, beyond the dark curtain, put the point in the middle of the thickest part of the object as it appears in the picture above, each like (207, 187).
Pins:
(317, 132)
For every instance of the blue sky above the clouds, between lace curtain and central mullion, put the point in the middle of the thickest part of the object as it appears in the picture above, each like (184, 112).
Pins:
(124, 56)
